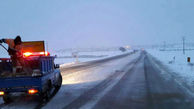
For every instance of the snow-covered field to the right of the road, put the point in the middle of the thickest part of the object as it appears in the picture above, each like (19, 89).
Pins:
(177, 63)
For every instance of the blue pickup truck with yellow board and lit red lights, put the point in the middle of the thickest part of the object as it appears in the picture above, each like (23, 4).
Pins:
(38, 76)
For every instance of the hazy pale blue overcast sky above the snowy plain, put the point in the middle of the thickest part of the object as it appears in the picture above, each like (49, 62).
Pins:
(97, 23)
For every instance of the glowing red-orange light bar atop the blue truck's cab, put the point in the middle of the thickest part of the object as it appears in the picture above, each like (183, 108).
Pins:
(28, 54)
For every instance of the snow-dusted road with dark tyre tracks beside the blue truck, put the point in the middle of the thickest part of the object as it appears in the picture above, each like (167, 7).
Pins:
(135, 81)
